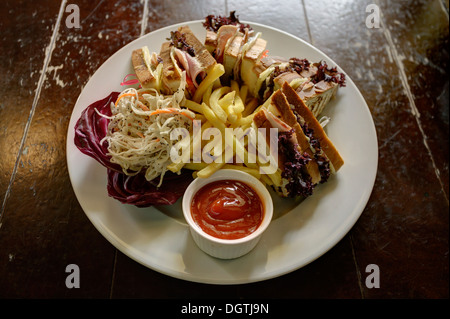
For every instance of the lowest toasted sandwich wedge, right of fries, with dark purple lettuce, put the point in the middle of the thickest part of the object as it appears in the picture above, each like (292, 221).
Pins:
(306, 156)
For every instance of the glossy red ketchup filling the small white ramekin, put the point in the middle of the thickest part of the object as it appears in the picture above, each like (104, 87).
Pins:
(227, 209)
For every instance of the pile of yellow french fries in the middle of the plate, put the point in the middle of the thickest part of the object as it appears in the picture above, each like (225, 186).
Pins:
(224, 107)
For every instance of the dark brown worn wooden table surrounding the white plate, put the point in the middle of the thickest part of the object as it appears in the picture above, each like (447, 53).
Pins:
(400, 67)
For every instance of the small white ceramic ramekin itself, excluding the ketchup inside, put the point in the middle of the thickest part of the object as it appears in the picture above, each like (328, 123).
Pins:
(227, 248)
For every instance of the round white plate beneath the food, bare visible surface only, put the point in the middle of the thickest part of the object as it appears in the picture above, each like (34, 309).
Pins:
(300, 232)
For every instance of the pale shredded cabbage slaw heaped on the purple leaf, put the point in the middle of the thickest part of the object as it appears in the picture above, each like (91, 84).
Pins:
(139, 129)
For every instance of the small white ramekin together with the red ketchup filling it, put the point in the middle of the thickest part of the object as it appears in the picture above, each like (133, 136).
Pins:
(227, 213)
